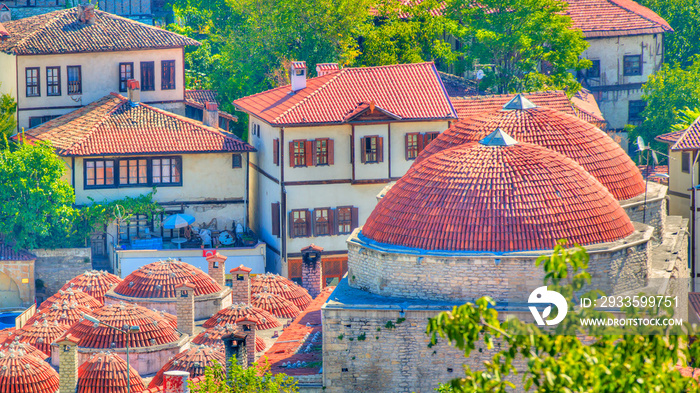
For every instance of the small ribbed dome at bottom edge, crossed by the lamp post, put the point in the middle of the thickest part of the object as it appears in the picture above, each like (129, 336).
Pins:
(106, 373)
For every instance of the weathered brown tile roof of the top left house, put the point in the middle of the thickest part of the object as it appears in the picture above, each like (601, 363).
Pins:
(61, 32)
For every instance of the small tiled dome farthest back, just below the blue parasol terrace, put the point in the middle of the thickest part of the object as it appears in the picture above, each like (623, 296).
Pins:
(159, 279)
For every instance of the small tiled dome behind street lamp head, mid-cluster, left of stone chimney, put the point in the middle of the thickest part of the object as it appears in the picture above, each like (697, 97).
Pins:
(154, 329)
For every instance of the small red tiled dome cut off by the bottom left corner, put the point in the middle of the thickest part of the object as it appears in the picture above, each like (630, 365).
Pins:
(24, 373)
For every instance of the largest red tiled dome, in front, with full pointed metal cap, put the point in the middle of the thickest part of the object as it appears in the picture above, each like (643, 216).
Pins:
(497, 195)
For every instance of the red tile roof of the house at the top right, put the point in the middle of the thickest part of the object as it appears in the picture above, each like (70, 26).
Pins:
(614, 18)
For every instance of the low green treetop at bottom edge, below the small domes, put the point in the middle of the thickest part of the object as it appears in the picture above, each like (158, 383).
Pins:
(255, 379)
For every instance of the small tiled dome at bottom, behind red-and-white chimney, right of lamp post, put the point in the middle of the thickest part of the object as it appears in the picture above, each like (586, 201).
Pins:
(194, 361)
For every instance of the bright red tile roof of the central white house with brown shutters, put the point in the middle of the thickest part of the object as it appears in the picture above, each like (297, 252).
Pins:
(411, 91)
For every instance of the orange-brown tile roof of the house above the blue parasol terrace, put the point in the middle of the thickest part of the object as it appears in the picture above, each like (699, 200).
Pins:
(114, 125)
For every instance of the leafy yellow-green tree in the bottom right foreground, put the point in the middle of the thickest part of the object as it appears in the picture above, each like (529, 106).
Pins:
(561, 362)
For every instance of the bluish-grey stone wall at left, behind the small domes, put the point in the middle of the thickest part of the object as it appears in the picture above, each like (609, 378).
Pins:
(55, 267)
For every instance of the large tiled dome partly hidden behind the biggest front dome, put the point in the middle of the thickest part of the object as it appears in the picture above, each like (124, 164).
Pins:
(577, 139)
